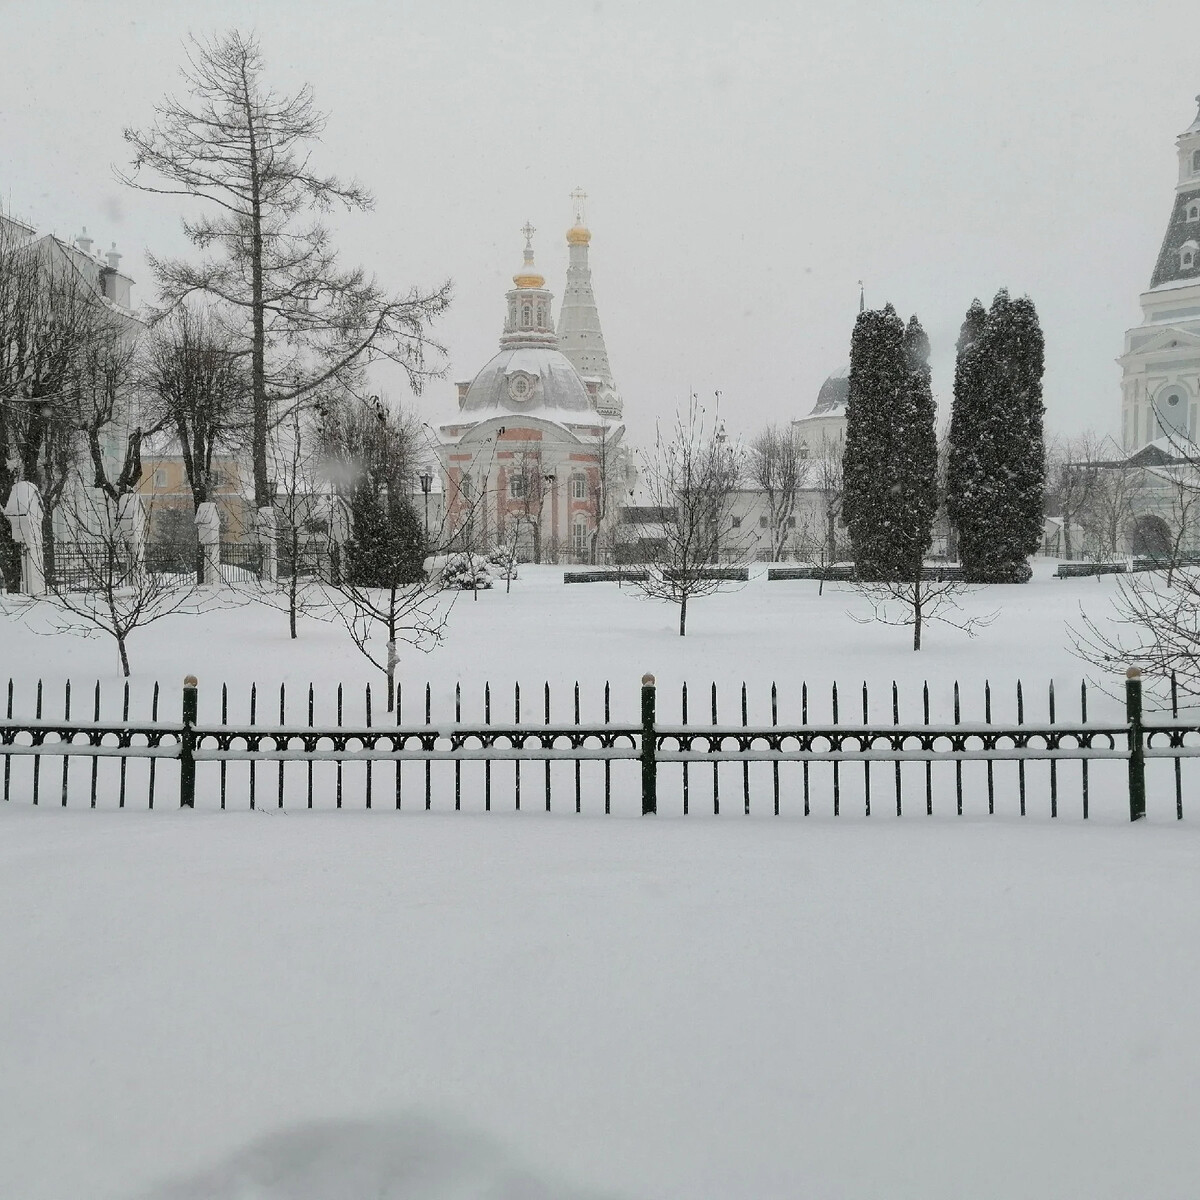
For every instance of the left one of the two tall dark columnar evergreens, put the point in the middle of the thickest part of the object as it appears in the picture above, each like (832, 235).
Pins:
(891, 458)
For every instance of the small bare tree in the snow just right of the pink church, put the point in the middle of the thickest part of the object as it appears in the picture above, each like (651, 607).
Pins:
(692, 479)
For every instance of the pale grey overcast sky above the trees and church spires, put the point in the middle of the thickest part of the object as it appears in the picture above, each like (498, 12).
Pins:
(747, 165)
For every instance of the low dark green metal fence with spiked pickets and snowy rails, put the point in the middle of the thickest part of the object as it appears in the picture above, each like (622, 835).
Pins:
(791, 765)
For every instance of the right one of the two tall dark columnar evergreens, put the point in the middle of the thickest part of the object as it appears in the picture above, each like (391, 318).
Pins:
(997, 471)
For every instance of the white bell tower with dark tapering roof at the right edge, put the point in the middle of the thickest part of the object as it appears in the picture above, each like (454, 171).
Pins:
(1161, 365)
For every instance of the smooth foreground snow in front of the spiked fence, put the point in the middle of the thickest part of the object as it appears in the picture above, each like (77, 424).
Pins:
(339, 1005)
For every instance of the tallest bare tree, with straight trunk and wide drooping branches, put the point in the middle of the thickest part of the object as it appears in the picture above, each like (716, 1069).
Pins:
(302, 320)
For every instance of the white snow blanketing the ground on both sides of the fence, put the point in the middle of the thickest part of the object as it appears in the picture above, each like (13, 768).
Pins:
(316, 1004)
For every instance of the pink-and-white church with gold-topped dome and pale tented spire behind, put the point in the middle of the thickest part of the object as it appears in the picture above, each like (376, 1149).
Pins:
(535, 453)
